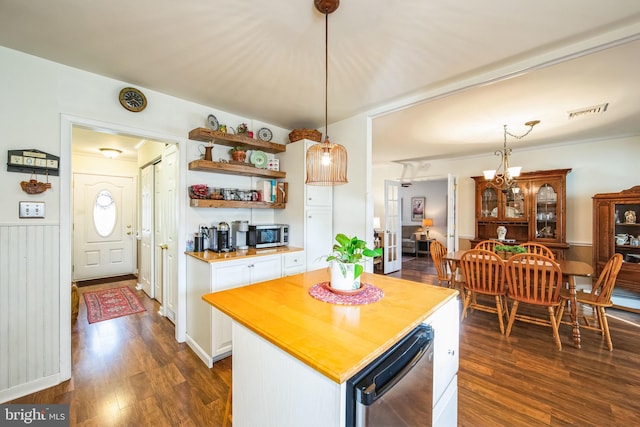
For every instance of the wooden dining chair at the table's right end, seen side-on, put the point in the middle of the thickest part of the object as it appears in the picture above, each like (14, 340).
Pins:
(599, 298)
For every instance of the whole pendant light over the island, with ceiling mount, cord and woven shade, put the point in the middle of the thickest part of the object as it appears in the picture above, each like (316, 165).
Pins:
(326, 161)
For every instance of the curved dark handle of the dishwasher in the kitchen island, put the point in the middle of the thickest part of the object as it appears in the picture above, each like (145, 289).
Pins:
(381, 382)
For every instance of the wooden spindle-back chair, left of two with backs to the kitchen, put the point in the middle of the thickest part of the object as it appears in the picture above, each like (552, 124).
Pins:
(483, 273)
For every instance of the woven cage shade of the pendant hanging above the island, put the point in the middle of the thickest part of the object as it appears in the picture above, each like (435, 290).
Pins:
(326, 164)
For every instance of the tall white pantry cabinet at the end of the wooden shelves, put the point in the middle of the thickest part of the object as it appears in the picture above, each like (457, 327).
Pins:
(309, 209)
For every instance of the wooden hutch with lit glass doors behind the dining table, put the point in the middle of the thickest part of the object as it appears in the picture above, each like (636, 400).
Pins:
(533, 211)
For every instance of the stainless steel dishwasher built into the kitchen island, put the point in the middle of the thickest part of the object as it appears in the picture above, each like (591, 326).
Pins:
(396, 389)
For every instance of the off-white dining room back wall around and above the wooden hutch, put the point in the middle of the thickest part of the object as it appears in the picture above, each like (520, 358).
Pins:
(597, 167)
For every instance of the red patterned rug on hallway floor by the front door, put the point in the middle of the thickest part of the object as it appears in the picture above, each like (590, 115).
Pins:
(111, 303)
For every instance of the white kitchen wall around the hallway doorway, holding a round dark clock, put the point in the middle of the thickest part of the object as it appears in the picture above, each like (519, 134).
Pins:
(39, 99)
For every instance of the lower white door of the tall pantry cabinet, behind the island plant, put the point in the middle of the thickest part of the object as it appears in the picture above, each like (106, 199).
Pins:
(319, 237)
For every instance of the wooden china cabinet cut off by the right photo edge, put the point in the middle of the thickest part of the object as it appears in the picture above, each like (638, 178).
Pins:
(616, 230)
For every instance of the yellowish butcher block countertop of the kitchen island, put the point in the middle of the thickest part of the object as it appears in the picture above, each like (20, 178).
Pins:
(335, 340)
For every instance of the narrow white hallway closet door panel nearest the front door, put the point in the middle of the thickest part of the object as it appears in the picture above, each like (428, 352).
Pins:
(145, 270)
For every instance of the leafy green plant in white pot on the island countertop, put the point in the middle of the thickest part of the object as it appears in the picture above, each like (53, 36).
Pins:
(346, 261)
